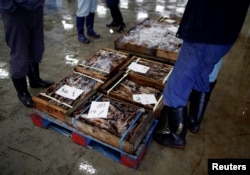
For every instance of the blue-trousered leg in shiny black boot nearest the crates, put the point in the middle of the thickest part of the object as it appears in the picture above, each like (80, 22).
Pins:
(171, 130)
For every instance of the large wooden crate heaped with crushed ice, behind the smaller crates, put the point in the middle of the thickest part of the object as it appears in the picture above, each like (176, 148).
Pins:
(149, 38)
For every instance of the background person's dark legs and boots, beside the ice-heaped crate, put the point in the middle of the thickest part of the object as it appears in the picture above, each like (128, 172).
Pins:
(117, 19)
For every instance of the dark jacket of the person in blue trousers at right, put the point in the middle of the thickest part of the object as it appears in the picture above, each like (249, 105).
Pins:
(213, 21)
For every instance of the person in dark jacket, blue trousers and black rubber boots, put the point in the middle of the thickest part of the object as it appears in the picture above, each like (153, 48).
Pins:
(208, 29)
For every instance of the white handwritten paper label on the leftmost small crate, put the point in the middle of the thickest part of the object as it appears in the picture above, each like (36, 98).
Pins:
(69, 92)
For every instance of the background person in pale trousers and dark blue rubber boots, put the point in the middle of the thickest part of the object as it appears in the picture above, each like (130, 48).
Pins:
(86, 10)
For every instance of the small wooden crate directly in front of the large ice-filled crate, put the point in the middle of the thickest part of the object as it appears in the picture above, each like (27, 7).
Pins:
(157, 73)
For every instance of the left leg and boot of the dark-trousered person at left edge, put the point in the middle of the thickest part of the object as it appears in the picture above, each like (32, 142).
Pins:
(17, 36)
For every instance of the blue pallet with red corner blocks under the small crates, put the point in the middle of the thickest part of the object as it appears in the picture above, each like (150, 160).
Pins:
(44, 120)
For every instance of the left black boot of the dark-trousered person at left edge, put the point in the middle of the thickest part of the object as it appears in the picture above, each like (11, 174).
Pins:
(23, 94)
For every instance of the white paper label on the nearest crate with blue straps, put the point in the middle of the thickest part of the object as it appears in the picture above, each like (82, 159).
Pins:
(98, 110)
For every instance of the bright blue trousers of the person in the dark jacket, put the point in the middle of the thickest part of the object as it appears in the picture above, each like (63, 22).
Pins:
(191, 71)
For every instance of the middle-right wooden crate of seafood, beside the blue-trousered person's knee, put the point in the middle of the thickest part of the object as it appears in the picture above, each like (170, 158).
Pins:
(117, 88)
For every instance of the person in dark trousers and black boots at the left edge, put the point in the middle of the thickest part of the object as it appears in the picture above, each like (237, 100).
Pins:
(23, 27)
